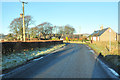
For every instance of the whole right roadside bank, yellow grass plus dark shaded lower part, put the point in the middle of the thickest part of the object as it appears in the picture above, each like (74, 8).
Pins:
(112, 58)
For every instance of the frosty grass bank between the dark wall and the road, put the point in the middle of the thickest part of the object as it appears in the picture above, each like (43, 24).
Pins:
(15, 59)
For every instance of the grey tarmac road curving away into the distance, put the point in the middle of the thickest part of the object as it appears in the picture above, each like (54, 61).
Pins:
(75, 61)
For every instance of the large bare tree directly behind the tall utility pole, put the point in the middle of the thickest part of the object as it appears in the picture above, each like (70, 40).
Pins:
(16, 26)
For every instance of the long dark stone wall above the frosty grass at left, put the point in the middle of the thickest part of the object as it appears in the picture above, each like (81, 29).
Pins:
(8, 47)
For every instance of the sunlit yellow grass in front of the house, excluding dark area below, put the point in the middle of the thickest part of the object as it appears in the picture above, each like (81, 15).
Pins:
(104, 48)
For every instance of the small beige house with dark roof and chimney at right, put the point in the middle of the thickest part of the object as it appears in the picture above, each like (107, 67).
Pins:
(105, 34)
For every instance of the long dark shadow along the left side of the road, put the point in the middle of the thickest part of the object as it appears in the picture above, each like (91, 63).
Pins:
(45, 63)
